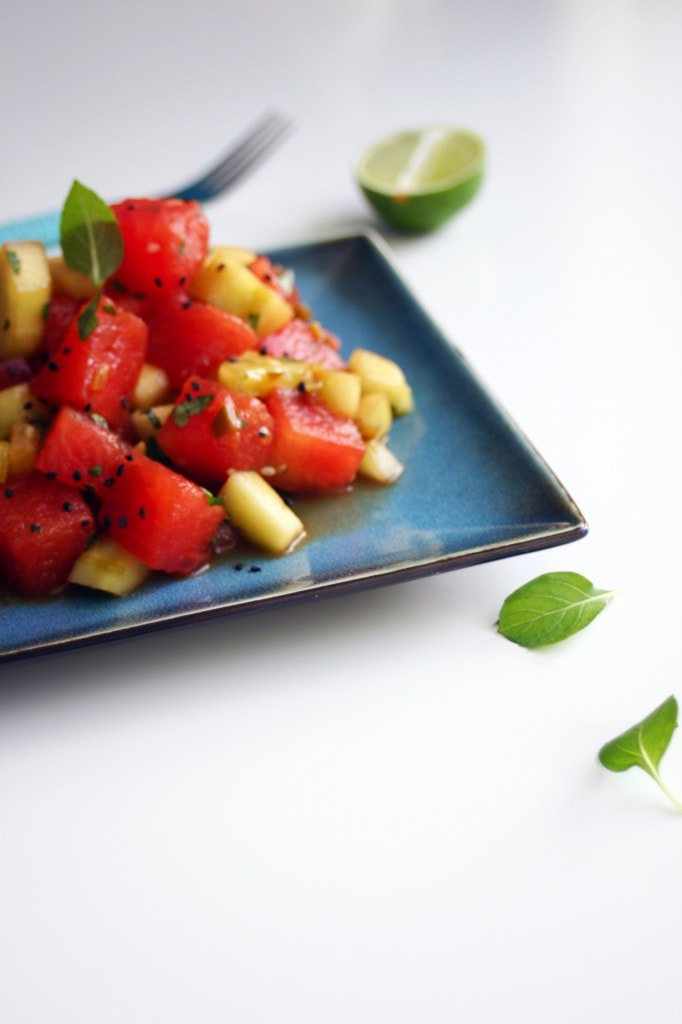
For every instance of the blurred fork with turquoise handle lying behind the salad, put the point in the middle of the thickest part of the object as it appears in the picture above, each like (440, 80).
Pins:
(244, 155)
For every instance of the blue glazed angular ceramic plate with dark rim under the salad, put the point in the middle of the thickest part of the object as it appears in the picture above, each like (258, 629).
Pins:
(474, 490)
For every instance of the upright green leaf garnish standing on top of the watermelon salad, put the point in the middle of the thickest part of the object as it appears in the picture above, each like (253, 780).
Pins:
(92, 240)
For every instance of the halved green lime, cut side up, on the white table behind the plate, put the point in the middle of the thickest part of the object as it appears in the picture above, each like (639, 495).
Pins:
(417, 180)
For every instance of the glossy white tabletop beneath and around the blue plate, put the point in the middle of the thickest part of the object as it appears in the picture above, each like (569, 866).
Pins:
(374, 808)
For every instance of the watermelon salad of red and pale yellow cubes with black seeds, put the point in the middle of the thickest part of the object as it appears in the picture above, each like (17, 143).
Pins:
(163, 399)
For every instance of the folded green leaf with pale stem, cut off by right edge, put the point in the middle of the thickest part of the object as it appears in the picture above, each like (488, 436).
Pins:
(645, 745)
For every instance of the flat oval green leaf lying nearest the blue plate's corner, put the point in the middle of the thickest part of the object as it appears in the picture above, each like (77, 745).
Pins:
(550, 609)
